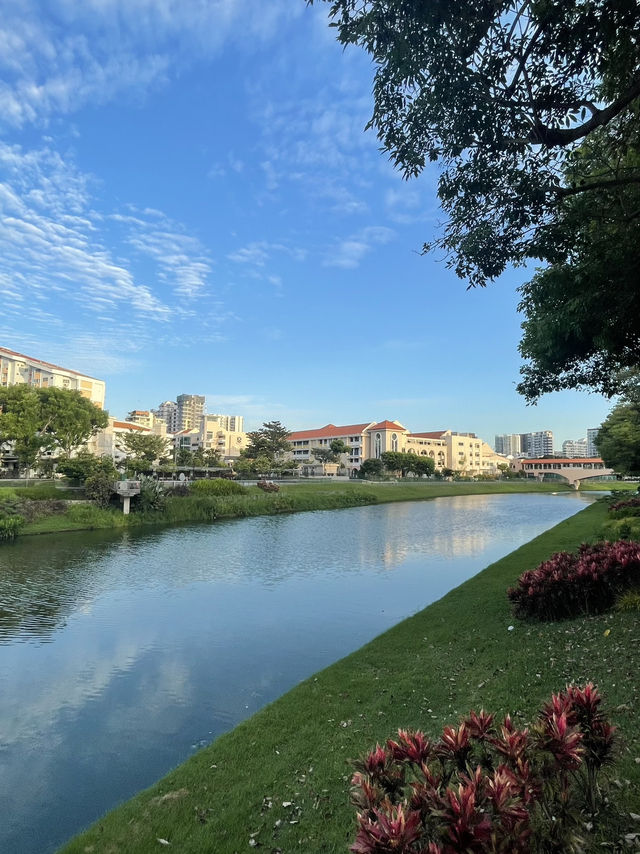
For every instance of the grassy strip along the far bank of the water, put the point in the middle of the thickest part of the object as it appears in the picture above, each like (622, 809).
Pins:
(291, 498)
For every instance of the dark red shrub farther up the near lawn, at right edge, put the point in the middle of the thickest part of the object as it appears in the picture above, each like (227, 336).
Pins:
(584, 583)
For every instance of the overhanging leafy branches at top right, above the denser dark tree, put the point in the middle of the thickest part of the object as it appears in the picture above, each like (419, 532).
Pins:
(498, 92)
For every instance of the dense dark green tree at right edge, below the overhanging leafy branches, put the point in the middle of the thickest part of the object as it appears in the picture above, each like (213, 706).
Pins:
(582, 313)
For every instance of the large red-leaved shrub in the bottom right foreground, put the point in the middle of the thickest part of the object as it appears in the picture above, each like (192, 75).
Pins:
(484, 787)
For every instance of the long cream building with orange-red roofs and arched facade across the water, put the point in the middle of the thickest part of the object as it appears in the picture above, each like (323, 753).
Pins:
(463, 452)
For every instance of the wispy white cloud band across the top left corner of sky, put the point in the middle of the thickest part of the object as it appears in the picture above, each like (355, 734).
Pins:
(58, 56)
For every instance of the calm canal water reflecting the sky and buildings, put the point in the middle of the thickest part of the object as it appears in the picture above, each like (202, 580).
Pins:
(121, 654)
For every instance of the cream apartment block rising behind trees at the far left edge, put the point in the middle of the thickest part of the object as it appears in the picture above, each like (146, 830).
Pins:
(18, 369)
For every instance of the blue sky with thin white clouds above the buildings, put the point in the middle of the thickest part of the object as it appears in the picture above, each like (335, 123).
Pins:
(189, 204)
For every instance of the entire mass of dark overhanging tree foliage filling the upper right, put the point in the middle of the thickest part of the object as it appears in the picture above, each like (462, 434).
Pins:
(531, 109)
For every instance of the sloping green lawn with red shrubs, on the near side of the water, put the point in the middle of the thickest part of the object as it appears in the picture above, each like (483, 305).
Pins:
(281, 779)
